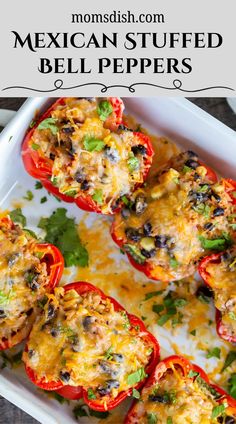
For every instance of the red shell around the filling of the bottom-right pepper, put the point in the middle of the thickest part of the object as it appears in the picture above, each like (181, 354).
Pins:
(189, 372)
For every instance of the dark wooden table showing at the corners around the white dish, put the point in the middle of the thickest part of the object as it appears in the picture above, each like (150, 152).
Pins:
(218, 107)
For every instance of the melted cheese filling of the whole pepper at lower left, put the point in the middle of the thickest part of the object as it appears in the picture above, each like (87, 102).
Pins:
(94, 346)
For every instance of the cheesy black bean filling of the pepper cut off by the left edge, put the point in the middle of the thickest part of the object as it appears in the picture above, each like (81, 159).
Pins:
(22, 281)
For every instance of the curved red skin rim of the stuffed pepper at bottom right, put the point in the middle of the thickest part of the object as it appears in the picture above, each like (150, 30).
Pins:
(186, 366)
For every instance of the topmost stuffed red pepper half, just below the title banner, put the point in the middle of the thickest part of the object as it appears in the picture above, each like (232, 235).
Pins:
(82, 153)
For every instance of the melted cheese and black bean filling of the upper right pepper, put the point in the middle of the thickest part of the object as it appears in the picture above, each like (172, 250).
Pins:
(176, 209)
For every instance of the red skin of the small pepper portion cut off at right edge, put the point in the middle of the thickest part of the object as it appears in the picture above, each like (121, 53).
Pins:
(202, 269)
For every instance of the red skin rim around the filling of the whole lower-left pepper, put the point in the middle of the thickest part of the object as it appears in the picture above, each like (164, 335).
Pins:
(71, 392)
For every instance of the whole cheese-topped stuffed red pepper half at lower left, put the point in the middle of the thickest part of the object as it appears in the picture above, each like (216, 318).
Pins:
(84, 344)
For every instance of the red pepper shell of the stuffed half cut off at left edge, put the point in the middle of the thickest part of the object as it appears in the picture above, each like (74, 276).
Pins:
(55, 265)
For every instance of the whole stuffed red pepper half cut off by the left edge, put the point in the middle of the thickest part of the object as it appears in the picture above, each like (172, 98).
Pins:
(29, 272)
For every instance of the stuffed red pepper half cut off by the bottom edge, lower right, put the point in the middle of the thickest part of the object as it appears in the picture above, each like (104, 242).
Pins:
(179, 392)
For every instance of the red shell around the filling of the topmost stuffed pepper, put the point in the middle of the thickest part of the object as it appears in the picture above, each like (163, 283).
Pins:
(40, 167)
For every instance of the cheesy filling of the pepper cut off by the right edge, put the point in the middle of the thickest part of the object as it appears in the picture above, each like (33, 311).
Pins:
(222, 280)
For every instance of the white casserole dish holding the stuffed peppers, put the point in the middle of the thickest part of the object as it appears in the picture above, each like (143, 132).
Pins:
(178, 119)
